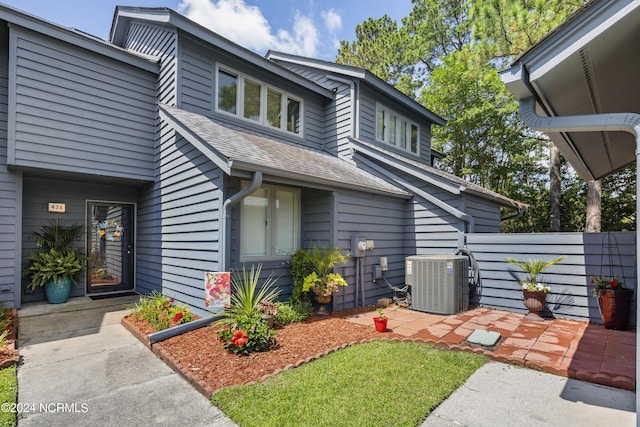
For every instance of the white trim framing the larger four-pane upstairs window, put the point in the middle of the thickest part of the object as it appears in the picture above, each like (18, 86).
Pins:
(239, 114)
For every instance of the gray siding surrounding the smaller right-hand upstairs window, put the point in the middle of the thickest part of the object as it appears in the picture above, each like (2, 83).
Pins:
(368, 100)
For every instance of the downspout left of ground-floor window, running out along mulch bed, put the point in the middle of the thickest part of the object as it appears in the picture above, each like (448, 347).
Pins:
(256, 182)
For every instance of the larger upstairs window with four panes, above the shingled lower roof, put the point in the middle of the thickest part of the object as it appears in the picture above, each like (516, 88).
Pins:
(250, 99)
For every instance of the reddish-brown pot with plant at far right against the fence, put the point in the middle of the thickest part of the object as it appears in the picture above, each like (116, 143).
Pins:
(614, 301)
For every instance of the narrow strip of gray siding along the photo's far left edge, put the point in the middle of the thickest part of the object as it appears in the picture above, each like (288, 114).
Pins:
(10, 192)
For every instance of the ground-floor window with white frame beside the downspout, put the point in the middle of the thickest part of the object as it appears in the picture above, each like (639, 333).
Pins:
(269, 224)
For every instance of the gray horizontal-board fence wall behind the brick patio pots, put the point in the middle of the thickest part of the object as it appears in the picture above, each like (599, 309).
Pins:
(570, 297)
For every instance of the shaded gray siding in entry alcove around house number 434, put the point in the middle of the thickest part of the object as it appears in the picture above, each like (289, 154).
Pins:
(38, 192)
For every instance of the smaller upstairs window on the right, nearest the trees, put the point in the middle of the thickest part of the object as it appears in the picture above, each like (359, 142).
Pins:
(396, 130)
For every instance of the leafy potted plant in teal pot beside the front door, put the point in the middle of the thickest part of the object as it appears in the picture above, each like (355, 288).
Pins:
(56, 267)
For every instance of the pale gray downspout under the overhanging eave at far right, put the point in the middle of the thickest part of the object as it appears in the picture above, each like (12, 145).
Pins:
(624, 122)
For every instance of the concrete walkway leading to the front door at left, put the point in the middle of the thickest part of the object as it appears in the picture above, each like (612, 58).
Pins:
(80, 367)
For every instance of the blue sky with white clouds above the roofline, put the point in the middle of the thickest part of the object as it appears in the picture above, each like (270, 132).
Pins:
(304, 27)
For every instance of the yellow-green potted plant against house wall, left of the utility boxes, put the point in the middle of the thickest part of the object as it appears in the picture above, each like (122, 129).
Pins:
(322, 281)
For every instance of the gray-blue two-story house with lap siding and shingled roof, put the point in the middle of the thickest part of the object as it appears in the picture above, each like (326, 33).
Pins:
(183, 153)
